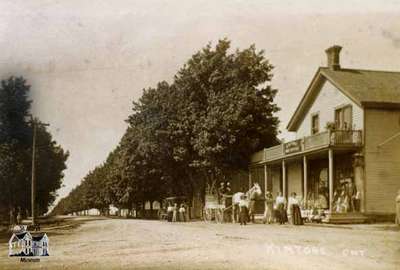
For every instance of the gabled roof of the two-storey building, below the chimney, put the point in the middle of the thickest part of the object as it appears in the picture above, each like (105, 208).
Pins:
(363, 87)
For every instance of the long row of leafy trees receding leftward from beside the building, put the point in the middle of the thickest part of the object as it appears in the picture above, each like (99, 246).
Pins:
(185, 136)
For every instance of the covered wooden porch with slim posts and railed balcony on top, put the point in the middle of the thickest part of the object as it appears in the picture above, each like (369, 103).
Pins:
(323, 170)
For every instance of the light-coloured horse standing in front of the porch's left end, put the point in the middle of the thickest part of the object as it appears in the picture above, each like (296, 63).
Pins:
(251, 195)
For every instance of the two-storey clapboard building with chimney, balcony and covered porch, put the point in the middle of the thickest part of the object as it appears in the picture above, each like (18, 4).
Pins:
(346, 156)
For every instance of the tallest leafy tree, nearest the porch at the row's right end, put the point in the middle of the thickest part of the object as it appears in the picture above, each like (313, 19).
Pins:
(228, 110)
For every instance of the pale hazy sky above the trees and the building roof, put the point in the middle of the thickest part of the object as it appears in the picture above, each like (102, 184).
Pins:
(88, 60)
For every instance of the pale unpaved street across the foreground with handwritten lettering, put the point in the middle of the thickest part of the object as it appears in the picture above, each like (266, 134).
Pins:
(144, 244)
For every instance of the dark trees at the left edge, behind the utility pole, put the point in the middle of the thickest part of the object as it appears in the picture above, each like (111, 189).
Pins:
(16, 132)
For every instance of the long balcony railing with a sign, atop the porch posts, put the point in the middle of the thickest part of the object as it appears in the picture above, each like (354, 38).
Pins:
(338, 138)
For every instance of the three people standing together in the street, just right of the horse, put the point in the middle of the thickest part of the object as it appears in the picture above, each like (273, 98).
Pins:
(281, 210)
